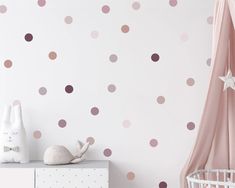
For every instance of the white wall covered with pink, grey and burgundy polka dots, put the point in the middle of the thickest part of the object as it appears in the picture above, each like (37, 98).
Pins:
(130, 77)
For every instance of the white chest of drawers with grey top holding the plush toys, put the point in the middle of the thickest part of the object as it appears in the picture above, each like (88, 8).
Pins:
(87, 174)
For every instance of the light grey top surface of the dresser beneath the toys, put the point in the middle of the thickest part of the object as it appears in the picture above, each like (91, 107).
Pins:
(40, 164)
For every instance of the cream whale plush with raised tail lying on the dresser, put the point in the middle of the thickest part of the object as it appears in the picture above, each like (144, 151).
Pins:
(57, 155)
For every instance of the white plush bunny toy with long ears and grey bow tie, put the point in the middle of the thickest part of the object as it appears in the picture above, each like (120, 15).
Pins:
(13, 142)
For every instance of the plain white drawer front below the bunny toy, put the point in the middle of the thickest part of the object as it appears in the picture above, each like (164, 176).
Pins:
(17, 177)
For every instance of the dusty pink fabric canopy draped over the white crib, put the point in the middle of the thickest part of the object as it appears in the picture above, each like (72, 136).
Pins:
(215, 143)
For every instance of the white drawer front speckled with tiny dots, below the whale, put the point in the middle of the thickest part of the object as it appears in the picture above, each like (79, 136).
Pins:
(72, 178)
